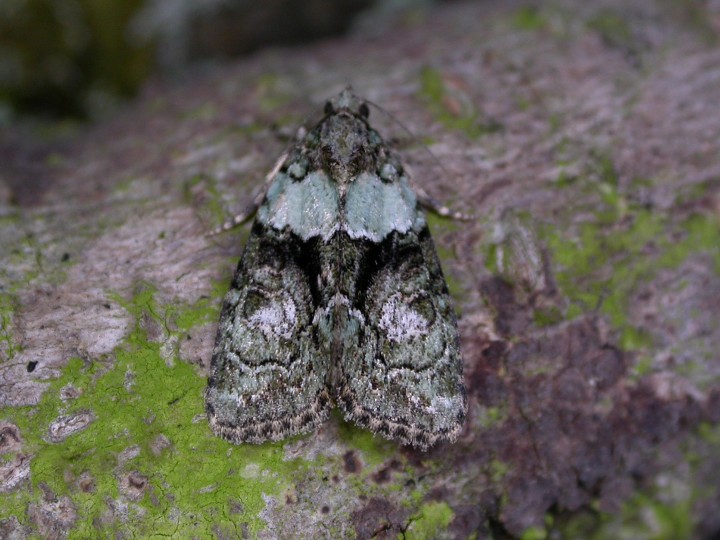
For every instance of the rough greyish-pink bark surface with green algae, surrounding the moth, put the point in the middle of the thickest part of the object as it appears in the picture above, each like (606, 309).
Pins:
(584, 137)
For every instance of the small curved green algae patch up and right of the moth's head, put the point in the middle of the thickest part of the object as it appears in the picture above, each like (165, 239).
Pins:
(436, 95)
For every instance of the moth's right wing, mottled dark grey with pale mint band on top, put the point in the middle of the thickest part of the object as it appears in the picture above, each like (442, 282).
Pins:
(401, 372)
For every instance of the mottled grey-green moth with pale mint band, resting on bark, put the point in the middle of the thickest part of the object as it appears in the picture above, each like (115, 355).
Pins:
(338, 300)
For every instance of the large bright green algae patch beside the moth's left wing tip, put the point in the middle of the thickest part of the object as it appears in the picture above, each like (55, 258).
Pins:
(196, 484)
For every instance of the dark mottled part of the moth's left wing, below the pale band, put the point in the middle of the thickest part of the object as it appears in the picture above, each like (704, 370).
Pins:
(267, 379)
